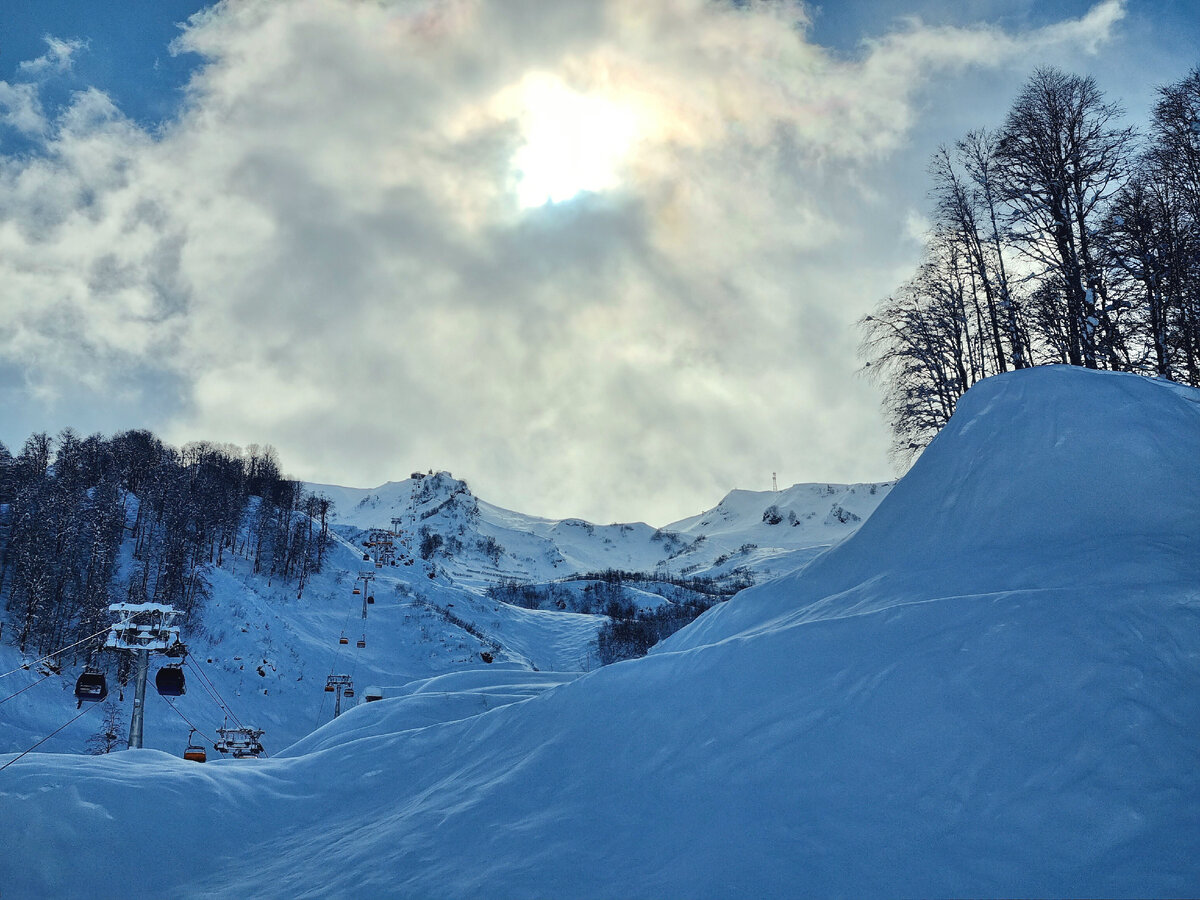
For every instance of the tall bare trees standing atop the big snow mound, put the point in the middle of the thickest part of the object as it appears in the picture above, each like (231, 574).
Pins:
(1065, 237)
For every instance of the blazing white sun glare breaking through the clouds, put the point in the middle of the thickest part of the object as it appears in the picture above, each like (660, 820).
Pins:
(574, 143)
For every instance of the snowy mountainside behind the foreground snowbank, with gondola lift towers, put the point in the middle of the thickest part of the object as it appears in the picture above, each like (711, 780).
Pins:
(268, 651)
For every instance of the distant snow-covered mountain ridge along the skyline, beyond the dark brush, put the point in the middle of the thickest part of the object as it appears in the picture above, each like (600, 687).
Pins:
(767, 532)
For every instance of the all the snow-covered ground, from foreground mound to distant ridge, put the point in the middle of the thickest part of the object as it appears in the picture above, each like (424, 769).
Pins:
(987, 686)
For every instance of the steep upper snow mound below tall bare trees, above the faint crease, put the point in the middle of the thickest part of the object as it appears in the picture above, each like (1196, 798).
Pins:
(1046, 478)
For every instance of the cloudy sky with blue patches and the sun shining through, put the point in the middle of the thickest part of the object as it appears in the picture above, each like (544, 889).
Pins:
(601, 259)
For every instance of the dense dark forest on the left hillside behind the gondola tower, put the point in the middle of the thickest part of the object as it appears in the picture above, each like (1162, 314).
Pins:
(87, 523)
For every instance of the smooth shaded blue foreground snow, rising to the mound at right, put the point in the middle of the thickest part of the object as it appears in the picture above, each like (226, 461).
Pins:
(993, 688)
